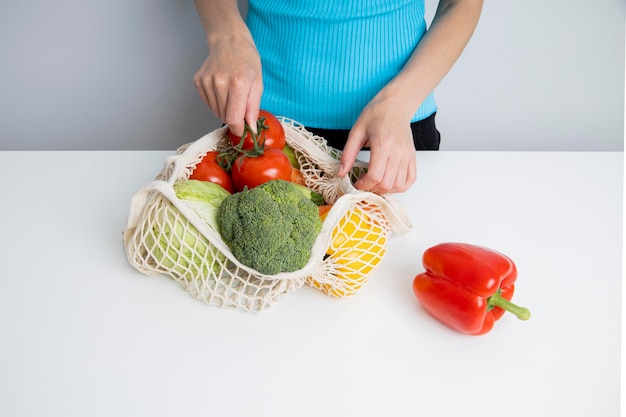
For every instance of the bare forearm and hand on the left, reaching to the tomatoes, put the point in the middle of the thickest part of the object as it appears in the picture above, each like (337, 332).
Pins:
(230, 80)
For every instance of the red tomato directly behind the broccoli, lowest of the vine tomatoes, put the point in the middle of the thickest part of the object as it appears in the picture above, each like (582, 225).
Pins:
(250, 171)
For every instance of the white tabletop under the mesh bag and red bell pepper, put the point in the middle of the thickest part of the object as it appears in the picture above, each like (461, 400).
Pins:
(84, 334)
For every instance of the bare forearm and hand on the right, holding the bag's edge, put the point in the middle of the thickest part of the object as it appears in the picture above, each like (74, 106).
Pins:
(384, 124)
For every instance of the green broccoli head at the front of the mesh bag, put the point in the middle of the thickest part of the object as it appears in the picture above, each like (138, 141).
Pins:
(271, 227)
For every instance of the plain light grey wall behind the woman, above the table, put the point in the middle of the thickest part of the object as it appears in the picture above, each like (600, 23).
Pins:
(117, 74)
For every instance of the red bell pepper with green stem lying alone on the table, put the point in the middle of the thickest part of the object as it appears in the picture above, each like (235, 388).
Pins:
(467, 287)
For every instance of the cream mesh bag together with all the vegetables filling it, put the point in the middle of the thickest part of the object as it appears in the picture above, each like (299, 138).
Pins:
(241, 221)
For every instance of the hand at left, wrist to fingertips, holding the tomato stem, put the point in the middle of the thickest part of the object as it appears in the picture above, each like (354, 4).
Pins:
(230, 81)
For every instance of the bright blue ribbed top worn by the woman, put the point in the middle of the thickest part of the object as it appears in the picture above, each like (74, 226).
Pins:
(323, 61)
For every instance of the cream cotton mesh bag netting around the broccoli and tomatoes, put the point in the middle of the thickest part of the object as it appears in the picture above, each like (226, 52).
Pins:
(166, 236)
